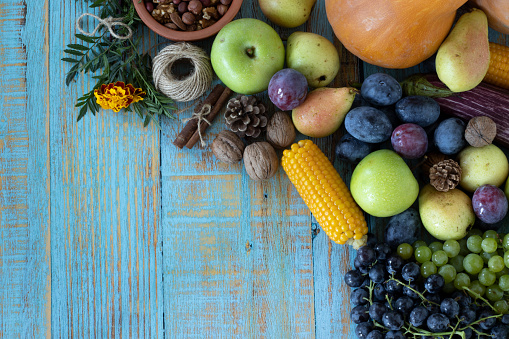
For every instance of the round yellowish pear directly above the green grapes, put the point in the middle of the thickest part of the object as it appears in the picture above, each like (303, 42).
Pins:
(446, 215)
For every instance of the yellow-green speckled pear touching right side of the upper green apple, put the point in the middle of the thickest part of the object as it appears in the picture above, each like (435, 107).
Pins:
(314, 56)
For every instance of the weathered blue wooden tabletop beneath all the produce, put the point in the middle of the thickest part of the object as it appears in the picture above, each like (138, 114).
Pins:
(108, 230)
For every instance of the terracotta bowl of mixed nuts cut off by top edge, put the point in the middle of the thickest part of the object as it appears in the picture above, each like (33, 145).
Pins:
(186, 20)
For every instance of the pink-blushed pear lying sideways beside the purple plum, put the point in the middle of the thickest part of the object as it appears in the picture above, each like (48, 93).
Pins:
(323, 111)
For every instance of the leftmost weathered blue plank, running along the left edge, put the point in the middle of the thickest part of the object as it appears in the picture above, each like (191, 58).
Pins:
(25, 264)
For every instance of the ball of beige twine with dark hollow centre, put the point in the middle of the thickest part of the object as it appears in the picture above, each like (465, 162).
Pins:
(189, 88)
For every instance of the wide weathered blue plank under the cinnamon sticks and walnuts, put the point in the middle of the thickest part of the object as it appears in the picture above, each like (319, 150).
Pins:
(237, 253)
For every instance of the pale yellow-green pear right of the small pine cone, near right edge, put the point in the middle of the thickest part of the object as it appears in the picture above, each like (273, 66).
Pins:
(481, 166)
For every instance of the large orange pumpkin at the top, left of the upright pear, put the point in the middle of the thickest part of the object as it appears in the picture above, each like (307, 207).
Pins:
(392, 33)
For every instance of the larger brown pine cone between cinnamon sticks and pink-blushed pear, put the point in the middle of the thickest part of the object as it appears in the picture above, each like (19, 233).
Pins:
(245, 116)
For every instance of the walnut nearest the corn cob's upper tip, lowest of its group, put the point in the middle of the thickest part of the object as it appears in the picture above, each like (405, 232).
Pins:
(260, 160)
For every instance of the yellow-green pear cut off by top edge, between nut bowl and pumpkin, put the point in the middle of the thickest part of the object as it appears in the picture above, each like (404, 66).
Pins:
(287, 13)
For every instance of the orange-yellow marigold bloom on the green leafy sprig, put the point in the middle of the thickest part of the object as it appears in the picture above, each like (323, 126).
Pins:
(118, 95)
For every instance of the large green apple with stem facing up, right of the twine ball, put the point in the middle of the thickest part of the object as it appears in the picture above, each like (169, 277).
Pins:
(245, 55)
